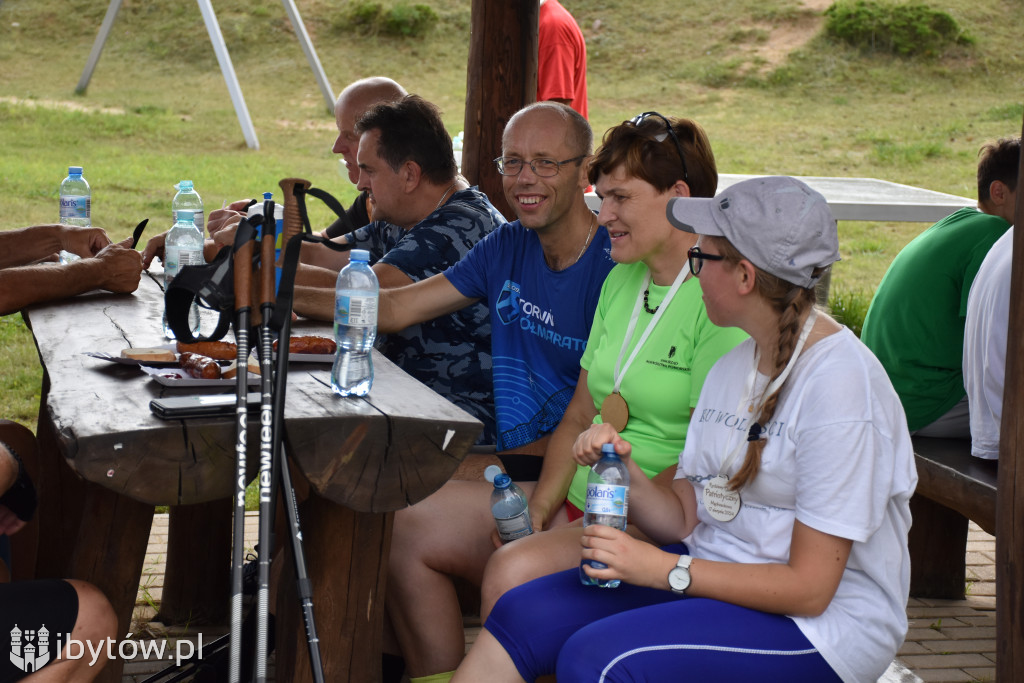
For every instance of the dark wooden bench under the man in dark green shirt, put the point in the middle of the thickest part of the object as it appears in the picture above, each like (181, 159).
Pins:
(954, 488)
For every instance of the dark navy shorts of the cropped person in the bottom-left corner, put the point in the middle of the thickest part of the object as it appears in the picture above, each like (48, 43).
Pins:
(36, 618)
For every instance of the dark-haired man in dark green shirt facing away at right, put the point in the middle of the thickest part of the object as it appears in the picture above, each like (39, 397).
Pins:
(916, 322)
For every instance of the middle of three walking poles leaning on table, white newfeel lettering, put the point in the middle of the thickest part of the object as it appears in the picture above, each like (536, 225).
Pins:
(267, 455)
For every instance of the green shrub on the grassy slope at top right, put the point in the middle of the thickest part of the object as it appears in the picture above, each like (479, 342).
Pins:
(907, 30)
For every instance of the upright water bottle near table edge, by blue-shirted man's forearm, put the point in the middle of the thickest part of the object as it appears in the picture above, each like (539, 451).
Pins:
(355, 326)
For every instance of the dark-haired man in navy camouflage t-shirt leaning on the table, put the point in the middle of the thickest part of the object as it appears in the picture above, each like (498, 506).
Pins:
(426, 219)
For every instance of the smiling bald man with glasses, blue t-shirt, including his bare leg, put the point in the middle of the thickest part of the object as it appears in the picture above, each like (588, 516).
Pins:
(541, 278)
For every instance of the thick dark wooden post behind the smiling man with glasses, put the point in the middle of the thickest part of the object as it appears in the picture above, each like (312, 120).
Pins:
(501, 79)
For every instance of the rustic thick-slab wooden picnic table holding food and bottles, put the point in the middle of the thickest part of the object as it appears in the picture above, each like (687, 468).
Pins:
(363, 459)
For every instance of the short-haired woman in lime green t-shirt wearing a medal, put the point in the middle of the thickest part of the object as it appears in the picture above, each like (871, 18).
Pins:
(652, 344)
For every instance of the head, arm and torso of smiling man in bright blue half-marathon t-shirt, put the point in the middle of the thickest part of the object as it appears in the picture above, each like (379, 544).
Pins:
(540, 278)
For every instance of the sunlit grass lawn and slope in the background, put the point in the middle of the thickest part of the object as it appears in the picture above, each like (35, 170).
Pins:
(774, 93)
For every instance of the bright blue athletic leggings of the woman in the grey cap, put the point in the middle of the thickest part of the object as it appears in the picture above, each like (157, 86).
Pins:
(556, 625)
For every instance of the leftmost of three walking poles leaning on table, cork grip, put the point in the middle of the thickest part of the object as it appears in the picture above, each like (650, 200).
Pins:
(243, 304)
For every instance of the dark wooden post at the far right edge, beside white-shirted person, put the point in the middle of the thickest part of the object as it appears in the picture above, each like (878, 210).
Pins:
(1010, 500)
